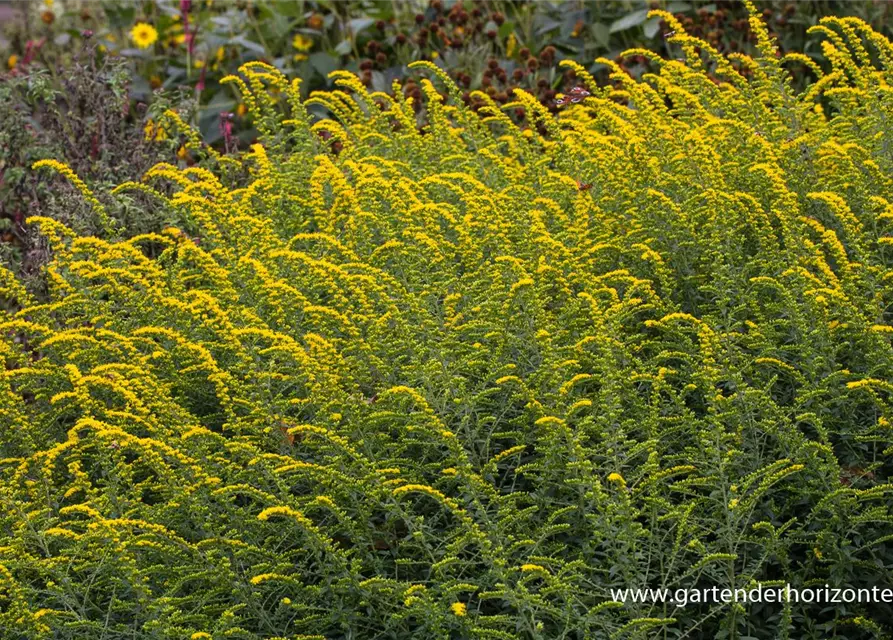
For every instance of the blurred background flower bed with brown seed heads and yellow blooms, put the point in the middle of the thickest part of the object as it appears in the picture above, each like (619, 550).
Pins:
(491, 45)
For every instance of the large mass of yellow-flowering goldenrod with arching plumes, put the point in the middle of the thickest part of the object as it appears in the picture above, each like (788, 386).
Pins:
(459, 382)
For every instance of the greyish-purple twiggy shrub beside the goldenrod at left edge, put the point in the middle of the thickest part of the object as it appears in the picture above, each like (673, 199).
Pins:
(90, 122)
